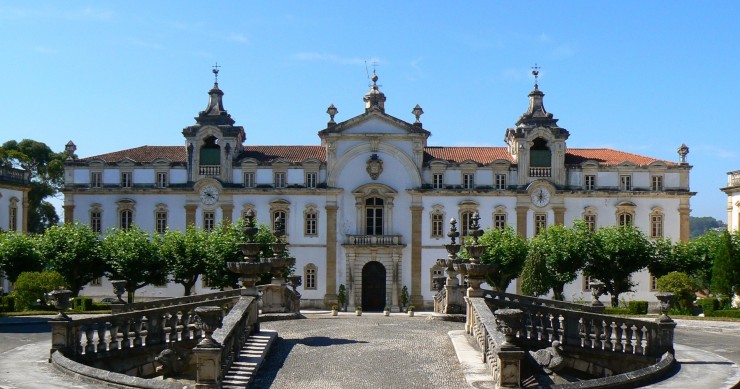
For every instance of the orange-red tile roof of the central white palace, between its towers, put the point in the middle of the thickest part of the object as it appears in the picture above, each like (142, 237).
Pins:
(296, 154)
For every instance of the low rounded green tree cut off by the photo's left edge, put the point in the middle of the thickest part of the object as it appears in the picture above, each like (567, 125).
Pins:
(18, 253)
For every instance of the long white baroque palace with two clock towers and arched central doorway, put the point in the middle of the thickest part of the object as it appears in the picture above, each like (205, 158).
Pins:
(370, 206)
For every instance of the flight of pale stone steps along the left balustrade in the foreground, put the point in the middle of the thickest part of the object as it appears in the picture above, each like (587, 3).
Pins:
(250, 358)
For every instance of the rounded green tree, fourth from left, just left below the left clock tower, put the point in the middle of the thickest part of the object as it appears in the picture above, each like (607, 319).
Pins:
(185, 255)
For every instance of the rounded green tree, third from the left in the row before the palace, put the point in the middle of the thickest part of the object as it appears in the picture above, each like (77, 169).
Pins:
(131, 255)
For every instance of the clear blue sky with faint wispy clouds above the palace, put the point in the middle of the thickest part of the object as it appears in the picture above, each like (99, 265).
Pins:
(637, 76)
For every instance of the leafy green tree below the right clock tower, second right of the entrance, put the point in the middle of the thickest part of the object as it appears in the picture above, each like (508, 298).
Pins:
(564, 251)
